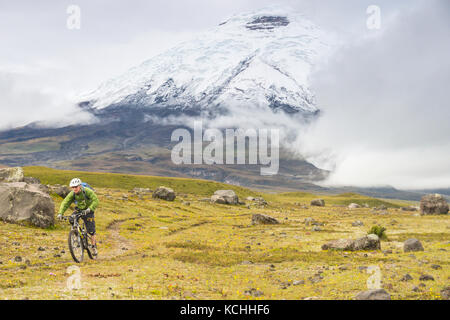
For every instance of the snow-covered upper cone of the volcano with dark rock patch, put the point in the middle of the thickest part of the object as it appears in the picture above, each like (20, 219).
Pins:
(262, 59)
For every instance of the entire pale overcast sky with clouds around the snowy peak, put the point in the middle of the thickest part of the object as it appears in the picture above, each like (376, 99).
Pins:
(384, 95)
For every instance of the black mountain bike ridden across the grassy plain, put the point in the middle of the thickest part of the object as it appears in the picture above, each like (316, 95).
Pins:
(79, 240)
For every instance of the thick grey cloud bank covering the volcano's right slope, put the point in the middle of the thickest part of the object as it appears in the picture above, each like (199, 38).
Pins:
(386, 105)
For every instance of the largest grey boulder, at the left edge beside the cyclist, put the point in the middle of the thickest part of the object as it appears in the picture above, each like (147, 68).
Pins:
(22, 202)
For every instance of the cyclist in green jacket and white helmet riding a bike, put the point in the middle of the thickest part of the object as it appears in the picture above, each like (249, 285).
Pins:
(87, 202)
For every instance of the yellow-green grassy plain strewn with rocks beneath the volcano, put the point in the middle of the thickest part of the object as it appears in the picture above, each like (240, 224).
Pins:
(192, 248)
